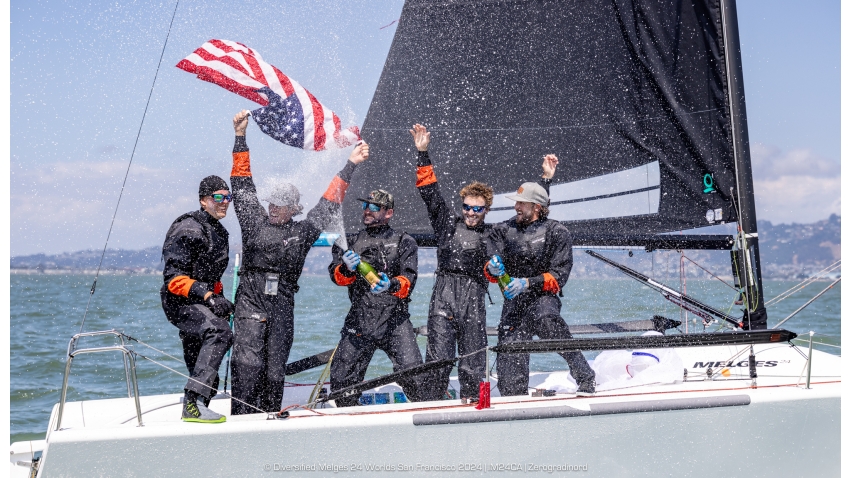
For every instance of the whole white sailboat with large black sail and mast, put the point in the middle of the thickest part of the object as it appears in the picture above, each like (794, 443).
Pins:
(644, 102)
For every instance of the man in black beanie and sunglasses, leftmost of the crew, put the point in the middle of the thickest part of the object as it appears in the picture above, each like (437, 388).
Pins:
(196, 254)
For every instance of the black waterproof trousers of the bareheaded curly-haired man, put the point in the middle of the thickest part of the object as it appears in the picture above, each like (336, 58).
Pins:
(457, 318)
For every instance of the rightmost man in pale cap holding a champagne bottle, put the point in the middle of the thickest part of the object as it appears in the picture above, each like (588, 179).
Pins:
(536, 252)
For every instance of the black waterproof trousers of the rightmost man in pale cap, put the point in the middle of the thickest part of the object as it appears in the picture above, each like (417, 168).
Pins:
(522, 318)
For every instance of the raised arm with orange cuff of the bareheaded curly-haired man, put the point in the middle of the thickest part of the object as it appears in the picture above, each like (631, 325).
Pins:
(439, 214)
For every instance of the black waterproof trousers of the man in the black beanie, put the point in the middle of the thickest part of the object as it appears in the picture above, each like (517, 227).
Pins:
(206, 338)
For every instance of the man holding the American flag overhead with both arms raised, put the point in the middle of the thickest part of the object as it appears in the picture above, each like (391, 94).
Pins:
(274, 248)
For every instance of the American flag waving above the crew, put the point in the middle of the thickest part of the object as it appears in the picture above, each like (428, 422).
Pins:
(291, 114)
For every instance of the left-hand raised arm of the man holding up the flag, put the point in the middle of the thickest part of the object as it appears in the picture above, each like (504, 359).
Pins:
(249, 211)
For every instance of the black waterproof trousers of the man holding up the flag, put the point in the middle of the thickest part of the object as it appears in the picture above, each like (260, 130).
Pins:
(261, 345)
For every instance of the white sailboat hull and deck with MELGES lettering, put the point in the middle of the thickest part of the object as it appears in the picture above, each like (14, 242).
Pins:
(719, 427)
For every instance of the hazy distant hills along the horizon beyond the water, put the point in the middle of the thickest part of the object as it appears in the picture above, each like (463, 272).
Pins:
(788, 251)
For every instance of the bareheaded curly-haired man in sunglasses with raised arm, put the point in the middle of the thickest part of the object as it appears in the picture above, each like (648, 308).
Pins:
(457, 317)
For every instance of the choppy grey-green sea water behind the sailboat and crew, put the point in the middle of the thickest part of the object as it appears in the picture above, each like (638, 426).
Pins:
(46, 310)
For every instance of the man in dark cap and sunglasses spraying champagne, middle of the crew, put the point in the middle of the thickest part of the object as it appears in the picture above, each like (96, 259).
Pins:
(378, 318)
